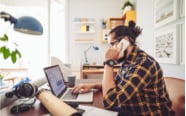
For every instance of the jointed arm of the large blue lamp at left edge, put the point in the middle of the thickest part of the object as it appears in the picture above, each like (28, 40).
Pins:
(8, 17)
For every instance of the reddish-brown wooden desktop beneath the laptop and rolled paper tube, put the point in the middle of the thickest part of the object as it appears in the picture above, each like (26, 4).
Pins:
(40, 110)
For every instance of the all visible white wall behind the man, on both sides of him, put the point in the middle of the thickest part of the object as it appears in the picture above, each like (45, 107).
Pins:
(103, 9)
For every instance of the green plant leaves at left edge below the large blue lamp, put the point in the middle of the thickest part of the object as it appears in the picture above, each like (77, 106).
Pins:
(5, 51)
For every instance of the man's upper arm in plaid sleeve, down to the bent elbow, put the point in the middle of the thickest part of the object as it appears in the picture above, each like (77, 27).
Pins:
(127, 88)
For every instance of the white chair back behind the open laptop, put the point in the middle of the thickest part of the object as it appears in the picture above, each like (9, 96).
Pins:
(64, 68)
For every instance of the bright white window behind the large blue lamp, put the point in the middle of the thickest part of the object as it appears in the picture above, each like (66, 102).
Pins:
(34, 49)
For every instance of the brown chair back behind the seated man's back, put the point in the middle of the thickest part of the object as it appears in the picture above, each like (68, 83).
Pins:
(176, 90)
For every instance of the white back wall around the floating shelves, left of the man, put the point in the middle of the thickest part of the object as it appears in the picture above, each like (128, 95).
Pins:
(96, 9)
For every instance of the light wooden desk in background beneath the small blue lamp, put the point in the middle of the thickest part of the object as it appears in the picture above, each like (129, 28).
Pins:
(95, 69)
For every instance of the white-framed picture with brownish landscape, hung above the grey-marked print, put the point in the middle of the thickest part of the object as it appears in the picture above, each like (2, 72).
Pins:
(165, 11)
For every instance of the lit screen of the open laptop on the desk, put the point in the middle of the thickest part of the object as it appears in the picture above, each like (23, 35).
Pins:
(55, 79)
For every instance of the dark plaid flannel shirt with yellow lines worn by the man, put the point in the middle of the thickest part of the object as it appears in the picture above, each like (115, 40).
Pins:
(140, 87)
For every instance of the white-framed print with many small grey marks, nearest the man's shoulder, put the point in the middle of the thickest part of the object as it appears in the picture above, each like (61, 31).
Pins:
(165, 46)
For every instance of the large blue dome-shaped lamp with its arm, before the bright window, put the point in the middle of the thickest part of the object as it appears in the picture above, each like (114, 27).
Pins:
(25, 24)
